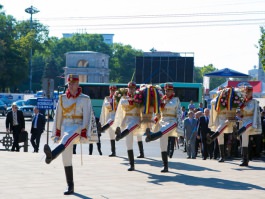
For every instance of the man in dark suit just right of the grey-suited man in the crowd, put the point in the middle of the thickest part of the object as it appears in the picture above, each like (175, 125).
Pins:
(203, 131)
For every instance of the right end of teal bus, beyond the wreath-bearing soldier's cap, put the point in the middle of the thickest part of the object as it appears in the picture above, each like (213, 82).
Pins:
(187, 92)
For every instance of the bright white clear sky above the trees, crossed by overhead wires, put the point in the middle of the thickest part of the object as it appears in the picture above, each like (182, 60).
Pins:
(219, 32)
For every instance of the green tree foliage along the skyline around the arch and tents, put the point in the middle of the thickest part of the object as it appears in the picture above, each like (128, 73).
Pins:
(17, 38)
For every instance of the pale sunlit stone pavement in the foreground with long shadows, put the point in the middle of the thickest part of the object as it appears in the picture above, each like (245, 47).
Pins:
(25, 175)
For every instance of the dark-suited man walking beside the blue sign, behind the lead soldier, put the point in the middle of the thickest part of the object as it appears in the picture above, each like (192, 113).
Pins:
(37, 128)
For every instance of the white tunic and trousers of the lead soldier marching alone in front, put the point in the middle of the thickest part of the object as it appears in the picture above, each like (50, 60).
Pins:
(72, 115)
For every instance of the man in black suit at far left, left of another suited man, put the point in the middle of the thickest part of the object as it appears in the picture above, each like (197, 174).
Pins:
(15, 123)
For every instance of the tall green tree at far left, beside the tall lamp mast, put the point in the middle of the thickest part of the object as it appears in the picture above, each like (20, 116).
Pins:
(16, 40)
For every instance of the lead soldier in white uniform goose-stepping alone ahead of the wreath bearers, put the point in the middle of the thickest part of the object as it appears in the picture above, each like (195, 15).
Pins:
(72, 123)
